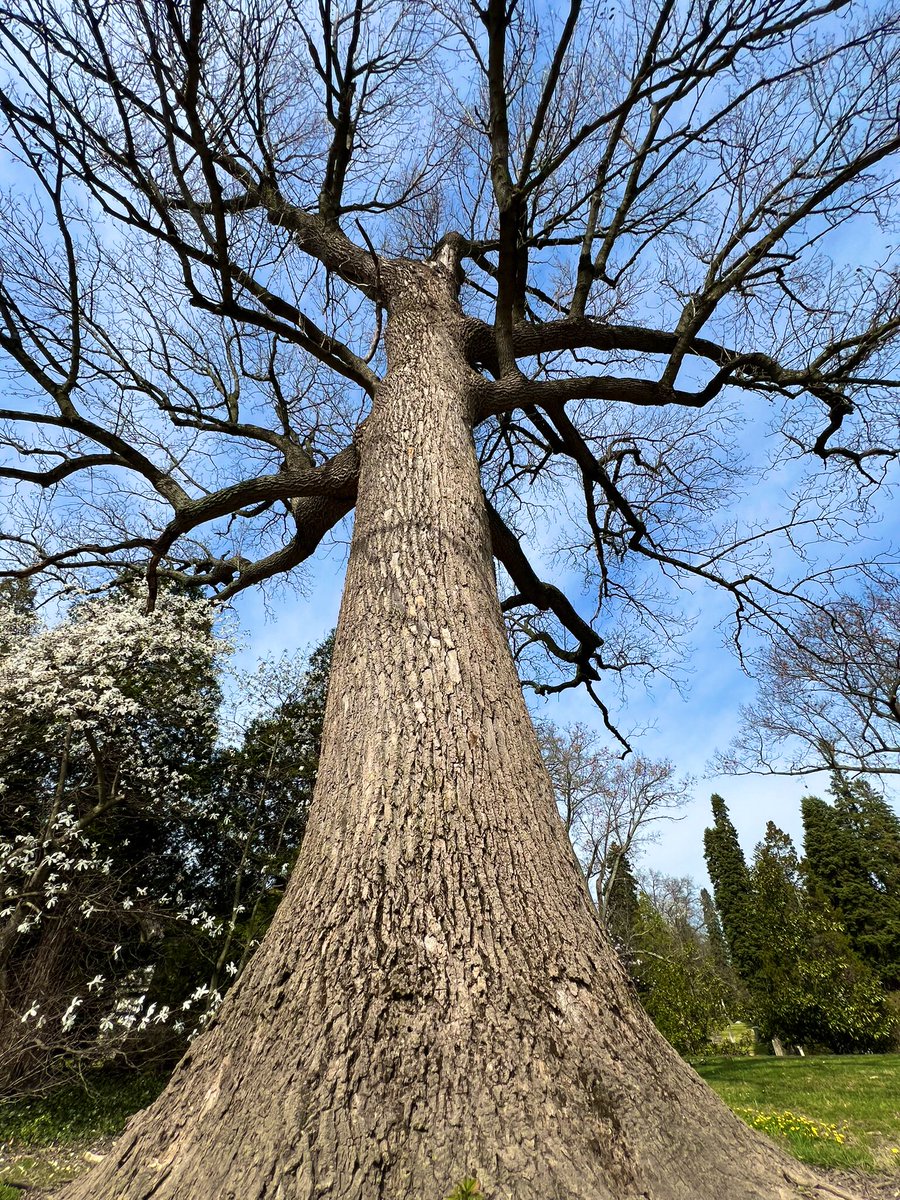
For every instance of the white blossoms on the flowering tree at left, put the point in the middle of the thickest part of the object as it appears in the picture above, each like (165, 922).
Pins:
(88, 680)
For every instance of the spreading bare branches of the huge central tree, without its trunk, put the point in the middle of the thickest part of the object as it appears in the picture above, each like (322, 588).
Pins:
(205, 205)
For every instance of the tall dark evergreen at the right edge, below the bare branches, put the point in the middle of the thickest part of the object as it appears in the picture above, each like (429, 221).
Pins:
(853, 857)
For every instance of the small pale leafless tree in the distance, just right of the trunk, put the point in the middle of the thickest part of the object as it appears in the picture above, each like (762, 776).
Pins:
(610, 807)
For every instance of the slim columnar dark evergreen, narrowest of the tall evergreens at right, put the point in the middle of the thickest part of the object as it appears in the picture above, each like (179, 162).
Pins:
(733, 889)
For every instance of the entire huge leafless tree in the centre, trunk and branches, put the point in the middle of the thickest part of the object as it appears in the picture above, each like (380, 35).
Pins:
(273, 263)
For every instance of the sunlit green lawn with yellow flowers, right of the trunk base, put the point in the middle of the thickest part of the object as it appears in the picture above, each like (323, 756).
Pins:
(841, 1112)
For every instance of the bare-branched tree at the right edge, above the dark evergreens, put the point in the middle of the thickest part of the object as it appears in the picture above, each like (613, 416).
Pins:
(830, 693)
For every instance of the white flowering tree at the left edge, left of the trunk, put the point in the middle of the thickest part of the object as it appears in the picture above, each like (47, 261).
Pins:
(110, 721)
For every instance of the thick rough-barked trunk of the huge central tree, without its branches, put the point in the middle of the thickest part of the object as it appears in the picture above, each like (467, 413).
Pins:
(436, 998)
